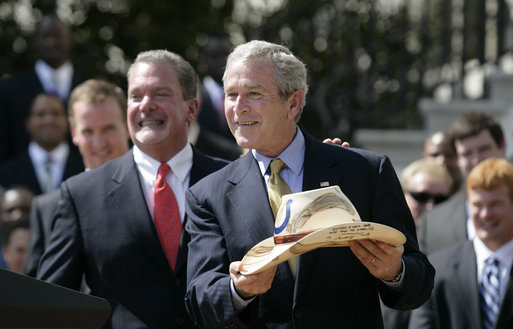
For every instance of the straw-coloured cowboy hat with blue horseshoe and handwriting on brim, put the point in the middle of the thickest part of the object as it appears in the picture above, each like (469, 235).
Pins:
(309, 220)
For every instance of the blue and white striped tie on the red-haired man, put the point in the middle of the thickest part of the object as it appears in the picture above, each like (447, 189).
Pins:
(490, 293)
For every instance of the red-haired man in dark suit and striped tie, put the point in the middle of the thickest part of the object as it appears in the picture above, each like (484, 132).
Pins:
(458, 298)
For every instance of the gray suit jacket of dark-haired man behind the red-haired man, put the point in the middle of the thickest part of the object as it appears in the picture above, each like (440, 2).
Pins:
(444, 225)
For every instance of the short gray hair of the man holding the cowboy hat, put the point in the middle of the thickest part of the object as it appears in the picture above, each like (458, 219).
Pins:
(290, 74)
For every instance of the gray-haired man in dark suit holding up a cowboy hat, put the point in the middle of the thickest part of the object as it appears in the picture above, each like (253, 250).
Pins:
(229, 212)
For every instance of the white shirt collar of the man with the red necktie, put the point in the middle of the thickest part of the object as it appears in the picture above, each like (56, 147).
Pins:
(180, 164)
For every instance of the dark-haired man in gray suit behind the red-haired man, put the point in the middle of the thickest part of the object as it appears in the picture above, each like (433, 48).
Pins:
(475, 137)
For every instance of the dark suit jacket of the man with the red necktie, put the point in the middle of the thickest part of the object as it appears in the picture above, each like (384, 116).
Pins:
(103, 228)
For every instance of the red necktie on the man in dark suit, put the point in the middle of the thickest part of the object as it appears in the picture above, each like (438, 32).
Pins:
(167, 216)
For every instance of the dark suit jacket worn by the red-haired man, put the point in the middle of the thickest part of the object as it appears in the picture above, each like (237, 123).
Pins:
(454, 303)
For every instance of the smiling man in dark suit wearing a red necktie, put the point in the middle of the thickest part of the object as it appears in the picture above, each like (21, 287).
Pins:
(104, 225)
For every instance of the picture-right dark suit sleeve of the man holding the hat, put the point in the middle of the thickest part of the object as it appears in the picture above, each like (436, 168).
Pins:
(390, 207)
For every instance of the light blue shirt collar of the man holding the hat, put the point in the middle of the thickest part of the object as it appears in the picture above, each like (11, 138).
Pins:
(293, 155)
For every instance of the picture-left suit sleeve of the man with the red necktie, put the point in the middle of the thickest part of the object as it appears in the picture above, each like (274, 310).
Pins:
(62, 261)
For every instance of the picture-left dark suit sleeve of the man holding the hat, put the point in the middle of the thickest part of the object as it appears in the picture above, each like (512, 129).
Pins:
(208, 297)
